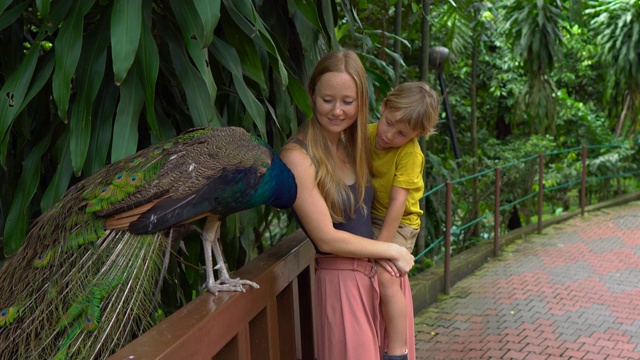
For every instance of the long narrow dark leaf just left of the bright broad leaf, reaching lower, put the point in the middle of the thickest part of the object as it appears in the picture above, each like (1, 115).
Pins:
(88, 78)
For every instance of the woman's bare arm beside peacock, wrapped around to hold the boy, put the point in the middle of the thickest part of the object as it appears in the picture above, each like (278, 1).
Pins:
(313, 212)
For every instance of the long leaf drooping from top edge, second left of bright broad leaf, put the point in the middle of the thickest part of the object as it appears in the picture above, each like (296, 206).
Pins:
(68, 46)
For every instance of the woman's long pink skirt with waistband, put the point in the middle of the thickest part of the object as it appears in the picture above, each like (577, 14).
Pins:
(347, 309)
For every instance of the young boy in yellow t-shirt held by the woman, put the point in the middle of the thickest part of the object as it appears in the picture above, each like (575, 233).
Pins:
(409, 111)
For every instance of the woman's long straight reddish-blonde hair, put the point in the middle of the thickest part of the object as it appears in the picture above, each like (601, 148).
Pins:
(335, 192)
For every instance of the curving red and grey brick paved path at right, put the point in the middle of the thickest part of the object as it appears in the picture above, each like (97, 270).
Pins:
(572, 292)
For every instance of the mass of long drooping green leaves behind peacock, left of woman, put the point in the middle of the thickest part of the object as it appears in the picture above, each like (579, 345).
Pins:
(115, 76)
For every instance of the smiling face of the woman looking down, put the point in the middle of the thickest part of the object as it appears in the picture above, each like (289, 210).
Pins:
(336, 101)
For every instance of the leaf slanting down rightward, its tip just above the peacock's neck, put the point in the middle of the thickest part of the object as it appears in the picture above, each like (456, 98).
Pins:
(228, 57)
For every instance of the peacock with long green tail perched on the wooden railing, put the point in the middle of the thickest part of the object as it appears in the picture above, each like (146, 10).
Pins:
(85, 281)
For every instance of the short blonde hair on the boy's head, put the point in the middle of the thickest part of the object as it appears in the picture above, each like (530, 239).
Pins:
(418, 106)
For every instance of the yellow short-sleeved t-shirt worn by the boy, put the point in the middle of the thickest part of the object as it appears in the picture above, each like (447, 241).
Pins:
(401, 167)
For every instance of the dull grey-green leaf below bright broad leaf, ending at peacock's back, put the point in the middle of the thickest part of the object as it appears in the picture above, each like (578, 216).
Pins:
(125, 128)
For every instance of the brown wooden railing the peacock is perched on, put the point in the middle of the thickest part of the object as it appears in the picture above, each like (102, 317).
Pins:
(272, 322)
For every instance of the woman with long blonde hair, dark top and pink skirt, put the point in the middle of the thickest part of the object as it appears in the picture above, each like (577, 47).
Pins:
(329, 157)
